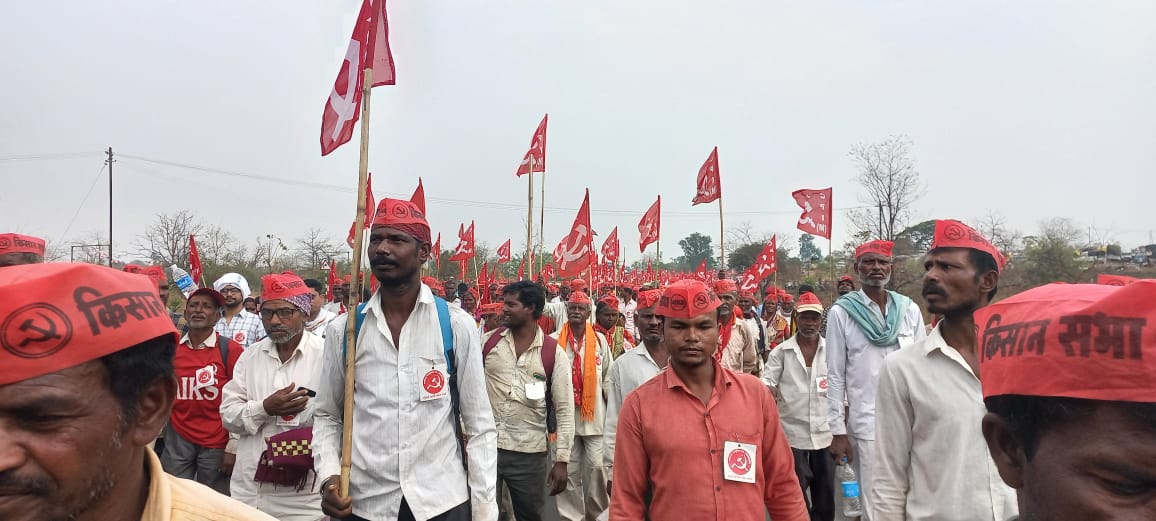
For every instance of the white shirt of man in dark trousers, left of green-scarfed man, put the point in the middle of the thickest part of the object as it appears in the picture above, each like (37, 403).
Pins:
(803, 408)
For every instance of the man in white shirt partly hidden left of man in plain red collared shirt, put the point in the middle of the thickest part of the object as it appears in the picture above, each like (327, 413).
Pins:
(632, 370)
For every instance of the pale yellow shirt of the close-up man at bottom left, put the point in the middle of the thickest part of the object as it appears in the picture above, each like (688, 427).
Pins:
(174, 500)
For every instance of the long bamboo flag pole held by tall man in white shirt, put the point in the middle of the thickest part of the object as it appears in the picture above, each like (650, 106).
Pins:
(347, 428)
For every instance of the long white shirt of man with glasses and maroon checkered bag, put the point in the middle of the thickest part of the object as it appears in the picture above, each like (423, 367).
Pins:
(257, 375)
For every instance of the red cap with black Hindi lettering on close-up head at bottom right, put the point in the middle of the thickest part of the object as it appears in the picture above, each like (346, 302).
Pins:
(1081, 341)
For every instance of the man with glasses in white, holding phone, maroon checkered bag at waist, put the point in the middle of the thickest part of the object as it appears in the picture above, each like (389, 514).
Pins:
(269, 396)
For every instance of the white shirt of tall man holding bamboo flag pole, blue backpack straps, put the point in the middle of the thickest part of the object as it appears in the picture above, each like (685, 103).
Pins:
(405, 446)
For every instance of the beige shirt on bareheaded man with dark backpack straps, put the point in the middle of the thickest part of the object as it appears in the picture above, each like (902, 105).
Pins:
(512, 379)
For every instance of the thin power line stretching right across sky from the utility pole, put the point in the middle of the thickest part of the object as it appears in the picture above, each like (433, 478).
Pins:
(460, 203)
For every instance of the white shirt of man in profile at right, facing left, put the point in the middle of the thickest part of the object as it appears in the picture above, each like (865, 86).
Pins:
(931, 459)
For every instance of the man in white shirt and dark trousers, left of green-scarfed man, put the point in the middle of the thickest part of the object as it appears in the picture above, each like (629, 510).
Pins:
(797, 375)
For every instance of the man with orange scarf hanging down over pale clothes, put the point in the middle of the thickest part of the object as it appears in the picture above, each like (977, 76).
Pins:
(590, 358)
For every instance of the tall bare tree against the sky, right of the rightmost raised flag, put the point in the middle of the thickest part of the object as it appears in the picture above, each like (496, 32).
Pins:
(888, 175)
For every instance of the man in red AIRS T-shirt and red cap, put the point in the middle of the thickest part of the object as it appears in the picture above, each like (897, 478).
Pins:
(195, 441)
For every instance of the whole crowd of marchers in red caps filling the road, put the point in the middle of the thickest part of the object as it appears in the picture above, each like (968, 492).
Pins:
(684, 401)
